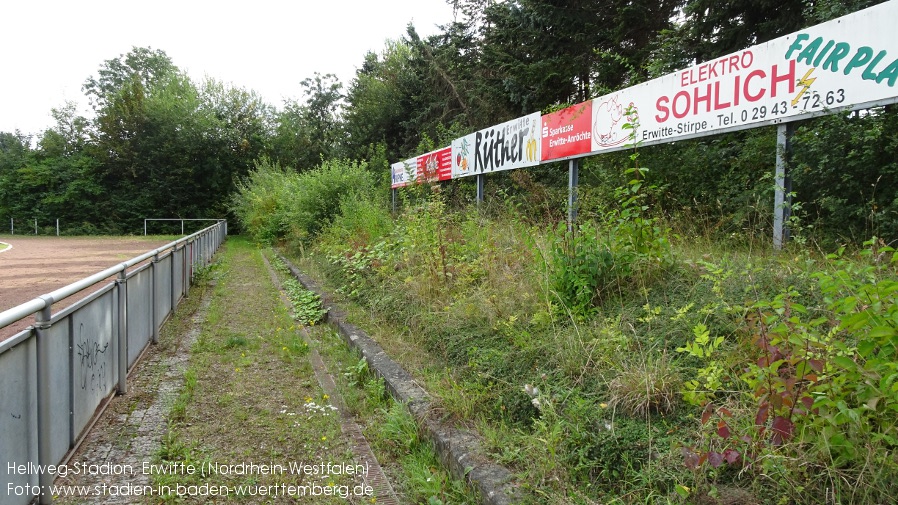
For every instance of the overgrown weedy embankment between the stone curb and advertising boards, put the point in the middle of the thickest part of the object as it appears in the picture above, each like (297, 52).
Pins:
(677, 371)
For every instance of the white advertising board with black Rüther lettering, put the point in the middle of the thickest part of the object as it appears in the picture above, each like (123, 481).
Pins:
(513, 144)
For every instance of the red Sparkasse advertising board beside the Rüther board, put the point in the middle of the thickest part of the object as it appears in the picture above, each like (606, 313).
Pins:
(567, 132)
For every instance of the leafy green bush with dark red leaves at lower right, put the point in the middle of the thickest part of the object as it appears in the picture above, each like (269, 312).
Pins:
(820, 376)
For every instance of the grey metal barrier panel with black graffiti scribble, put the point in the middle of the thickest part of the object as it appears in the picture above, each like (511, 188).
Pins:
(94, 357)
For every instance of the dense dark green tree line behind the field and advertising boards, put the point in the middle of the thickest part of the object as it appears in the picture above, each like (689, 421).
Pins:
(159, 144)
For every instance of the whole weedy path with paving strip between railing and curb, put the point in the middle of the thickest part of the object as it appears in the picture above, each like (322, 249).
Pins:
(242, 408)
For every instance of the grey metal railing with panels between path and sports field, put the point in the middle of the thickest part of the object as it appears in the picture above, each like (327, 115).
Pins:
(58, 372)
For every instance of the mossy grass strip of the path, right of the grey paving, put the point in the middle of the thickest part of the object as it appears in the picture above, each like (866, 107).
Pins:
(250, 396)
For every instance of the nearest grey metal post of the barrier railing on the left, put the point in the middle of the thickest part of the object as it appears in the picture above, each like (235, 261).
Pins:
(44, 424)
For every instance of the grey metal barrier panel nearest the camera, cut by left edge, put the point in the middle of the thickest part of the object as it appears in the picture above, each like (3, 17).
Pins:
(18, 414)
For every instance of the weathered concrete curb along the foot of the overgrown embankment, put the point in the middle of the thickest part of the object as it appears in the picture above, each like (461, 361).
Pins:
(459, 449)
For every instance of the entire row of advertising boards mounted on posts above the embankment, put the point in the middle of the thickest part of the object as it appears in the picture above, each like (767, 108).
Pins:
(849, 63)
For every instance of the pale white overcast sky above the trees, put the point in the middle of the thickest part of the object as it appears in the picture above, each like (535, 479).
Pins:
(51, 47)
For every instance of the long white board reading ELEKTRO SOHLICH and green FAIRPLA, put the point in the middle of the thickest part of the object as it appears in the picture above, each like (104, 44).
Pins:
(846, 63)
